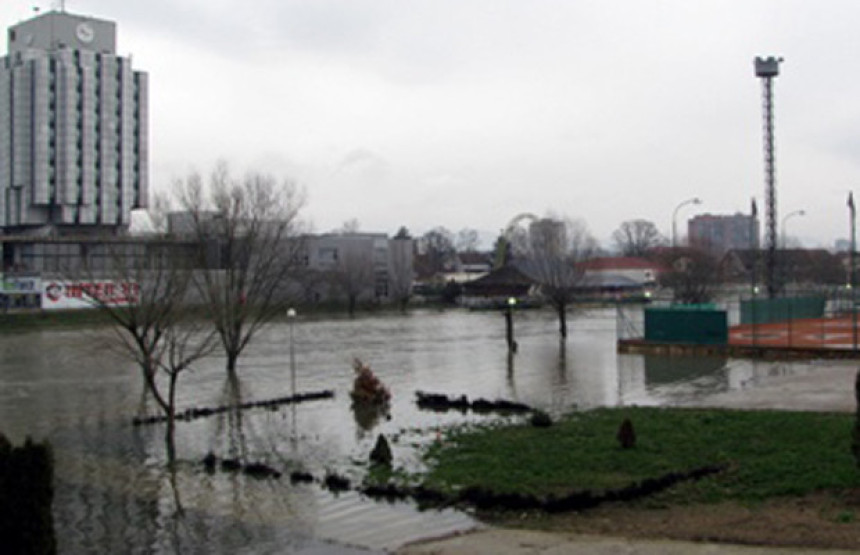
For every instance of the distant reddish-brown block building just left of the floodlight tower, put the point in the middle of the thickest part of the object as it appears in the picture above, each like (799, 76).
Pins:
(720, 233)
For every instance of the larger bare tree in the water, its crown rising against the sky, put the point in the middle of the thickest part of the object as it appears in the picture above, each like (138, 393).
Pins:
(250, 233)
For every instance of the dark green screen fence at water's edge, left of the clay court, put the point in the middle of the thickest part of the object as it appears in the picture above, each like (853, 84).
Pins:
(699, 324)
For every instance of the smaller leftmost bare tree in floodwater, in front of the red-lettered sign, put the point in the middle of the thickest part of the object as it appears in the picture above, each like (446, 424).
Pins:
(145, 289)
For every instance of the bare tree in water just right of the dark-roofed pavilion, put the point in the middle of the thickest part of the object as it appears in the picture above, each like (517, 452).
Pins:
(555, 249)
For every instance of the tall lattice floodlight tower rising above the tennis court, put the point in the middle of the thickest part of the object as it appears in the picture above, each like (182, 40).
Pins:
(766, 69)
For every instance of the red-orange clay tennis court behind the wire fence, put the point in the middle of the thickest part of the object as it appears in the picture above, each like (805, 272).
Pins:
(833, 333)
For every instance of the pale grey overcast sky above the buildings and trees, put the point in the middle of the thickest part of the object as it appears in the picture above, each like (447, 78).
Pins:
(465, 113)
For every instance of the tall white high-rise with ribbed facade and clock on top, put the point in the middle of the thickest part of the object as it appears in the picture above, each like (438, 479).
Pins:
(73, 128)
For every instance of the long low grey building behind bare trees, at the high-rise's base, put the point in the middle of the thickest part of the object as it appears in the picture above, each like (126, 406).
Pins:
(371, 267)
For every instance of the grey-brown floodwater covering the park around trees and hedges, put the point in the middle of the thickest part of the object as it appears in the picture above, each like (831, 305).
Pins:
(114, 493)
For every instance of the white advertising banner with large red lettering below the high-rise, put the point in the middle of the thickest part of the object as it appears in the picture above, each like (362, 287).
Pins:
(88, 294)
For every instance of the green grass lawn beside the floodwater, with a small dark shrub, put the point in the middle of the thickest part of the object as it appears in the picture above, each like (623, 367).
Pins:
(766, 453)
